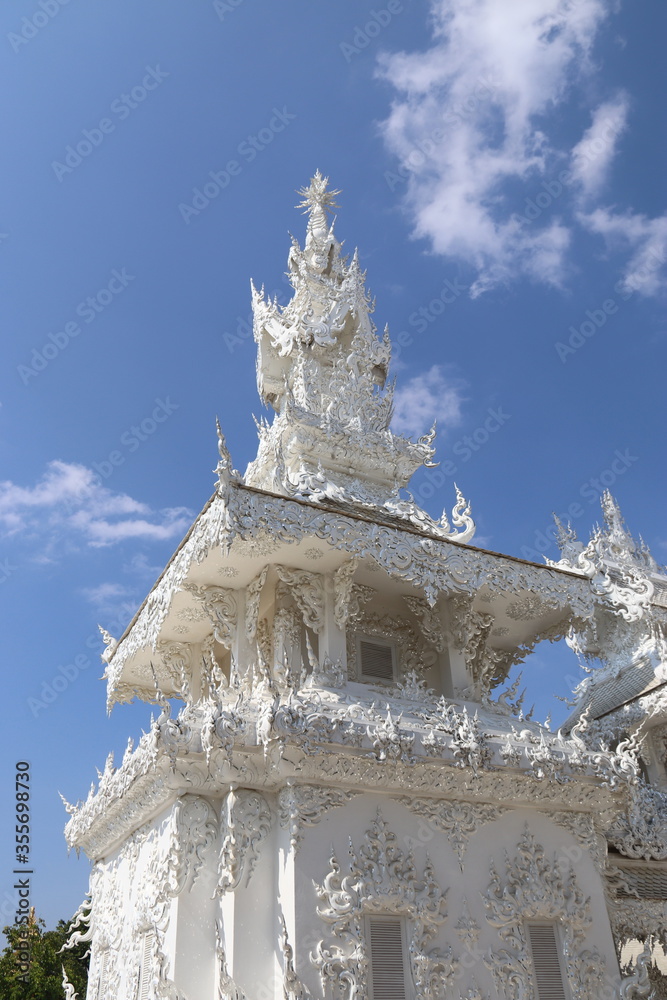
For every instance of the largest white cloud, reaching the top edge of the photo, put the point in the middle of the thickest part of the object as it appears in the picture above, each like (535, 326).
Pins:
(470, 121)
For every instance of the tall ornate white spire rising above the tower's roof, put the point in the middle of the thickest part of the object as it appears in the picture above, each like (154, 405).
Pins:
(323, 369)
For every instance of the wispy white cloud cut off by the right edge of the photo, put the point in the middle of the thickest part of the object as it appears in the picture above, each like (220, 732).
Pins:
(645, 270)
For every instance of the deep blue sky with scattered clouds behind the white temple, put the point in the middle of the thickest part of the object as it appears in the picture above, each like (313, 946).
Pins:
(502, 169)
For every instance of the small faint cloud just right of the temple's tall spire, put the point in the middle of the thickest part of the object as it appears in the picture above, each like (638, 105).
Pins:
(425, 398)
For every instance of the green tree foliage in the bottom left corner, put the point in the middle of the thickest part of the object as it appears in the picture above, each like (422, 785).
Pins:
(43, 978)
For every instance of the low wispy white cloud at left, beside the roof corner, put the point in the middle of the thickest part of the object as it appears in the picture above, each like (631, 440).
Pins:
(70, 499)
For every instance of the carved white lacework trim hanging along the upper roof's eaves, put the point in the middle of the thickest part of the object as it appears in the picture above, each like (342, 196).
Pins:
(421, 559)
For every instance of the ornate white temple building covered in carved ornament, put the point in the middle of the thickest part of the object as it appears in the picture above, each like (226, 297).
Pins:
(351, 802)
